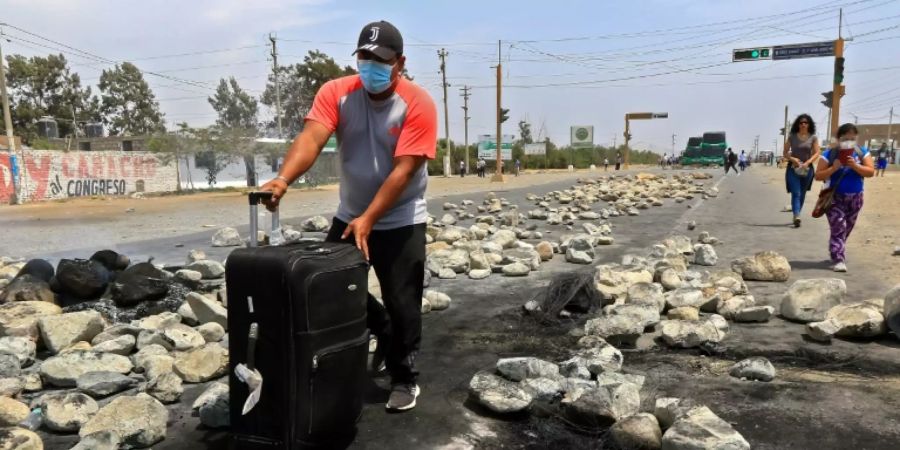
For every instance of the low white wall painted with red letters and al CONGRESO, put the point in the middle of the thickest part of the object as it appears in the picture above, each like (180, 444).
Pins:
(51, 174)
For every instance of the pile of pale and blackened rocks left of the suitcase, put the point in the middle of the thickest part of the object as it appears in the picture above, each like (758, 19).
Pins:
(80, 351)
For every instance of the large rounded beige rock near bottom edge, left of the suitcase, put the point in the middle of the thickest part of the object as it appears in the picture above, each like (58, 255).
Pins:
(139, 421)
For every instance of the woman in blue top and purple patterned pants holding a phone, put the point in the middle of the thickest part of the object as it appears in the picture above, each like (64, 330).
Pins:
(843, 167)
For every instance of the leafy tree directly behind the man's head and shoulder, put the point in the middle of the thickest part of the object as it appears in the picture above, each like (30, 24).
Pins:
(299, 84)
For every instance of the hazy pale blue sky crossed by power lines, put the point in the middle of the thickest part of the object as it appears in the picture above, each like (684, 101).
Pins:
(681, 50)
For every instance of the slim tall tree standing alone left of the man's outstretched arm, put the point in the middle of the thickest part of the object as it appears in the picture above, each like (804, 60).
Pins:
(237, 123)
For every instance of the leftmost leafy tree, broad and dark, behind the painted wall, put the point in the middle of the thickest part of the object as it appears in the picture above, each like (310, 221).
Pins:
(44, 86)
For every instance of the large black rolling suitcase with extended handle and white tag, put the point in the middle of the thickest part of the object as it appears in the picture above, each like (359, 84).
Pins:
(297, 316)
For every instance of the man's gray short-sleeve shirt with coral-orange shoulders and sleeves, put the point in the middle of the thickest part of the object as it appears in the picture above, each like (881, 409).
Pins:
(370, 134)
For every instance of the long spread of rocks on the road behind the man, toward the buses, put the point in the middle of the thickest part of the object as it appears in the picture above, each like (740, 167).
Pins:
(506, 242)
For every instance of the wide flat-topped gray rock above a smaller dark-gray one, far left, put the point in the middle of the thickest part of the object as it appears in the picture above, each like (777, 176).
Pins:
(63, 370)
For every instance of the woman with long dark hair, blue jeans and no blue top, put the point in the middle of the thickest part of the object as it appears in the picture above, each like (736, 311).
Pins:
(800, 151)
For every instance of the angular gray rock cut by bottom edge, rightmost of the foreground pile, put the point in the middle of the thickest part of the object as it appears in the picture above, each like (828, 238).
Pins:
(701, 429)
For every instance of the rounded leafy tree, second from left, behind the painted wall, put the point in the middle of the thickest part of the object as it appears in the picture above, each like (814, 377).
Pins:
(128, 104)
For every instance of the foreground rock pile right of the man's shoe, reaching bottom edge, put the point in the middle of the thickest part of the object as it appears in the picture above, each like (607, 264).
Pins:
(591, 392)
